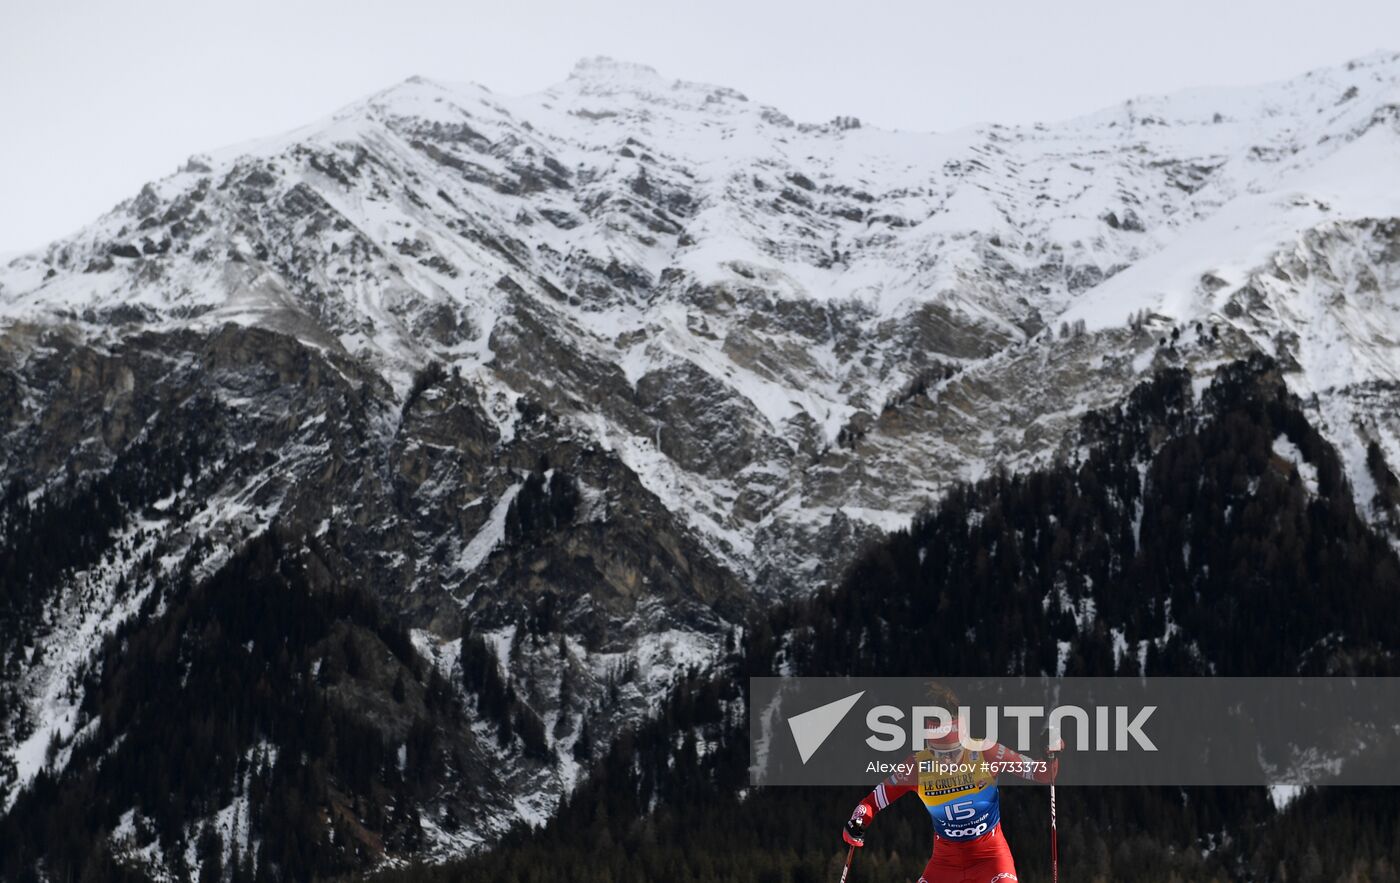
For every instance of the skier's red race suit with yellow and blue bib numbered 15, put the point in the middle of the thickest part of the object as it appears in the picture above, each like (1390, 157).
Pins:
(961, 797)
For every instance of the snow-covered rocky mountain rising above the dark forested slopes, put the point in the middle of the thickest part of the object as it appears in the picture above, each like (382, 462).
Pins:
(621, 360)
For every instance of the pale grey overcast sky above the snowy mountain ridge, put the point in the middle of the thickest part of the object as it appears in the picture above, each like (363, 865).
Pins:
(99, 97)
